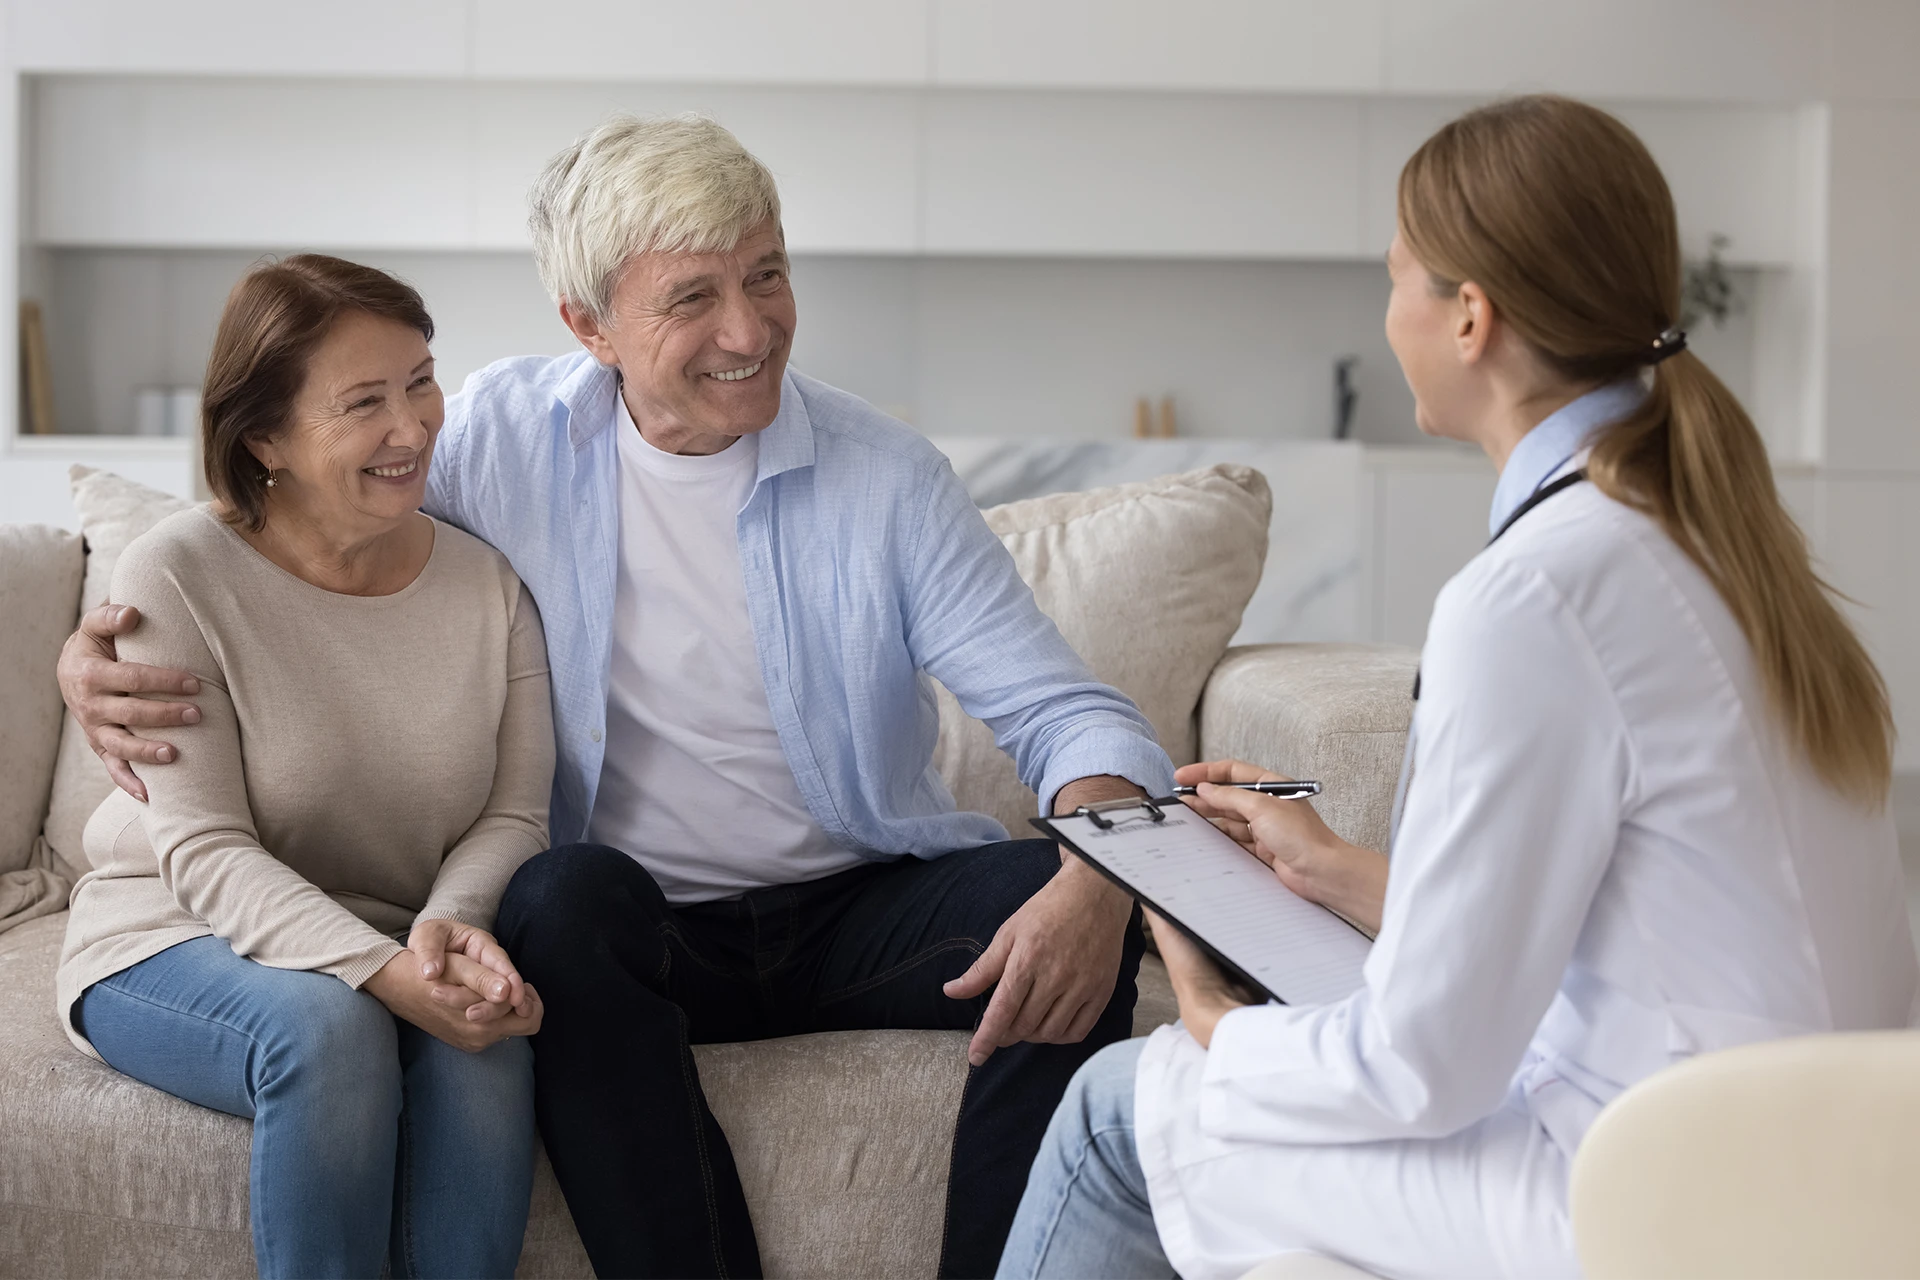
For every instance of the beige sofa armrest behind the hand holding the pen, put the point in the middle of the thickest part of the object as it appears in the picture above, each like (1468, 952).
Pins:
(1333, 713)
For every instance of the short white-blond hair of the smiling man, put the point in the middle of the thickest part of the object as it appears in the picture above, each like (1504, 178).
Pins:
(673, 183)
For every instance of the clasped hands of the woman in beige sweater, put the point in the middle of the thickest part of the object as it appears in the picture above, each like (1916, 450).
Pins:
(456, 984)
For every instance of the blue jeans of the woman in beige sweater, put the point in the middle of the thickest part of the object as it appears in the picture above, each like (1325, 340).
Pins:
(372, 1139)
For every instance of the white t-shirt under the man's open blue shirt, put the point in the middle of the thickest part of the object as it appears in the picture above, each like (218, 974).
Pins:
(696, 786)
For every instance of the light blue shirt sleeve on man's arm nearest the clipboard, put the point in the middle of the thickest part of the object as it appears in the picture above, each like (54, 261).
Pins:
(974, 627)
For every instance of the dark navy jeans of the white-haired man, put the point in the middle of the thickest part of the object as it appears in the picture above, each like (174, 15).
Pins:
(633, 982)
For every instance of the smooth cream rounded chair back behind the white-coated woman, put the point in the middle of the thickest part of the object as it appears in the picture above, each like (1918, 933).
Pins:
(1792, 1158)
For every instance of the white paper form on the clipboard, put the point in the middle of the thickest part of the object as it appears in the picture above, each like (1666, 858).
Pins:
(1197, 876)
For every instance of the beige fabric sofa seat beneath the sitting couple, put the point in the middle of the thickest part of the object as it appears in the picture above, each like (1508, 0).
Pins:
(842, 1145)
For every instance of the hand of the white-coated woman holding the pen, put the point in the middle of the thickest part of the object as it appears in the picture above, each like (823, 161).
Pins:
(1291, 838)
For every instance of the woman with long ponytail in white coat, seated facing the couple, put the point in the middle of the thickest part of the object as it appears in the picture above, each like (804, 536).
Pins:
(1644, 811)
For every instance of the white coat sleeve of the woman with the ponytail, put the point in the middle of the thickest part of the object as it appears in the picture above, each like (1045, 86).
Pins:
(1522, 770)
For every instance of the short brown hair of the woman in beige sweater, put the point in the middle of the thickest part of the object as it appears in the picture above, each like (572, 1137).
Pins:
(276, 318)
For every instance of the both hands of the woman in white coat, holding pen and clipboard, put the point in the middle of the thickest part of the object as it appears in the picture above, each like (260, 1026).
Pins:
(1305, 855)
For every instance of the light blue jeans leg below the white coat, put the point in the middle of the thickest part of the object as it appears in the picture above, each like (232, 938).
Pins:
(1086, 1214)
